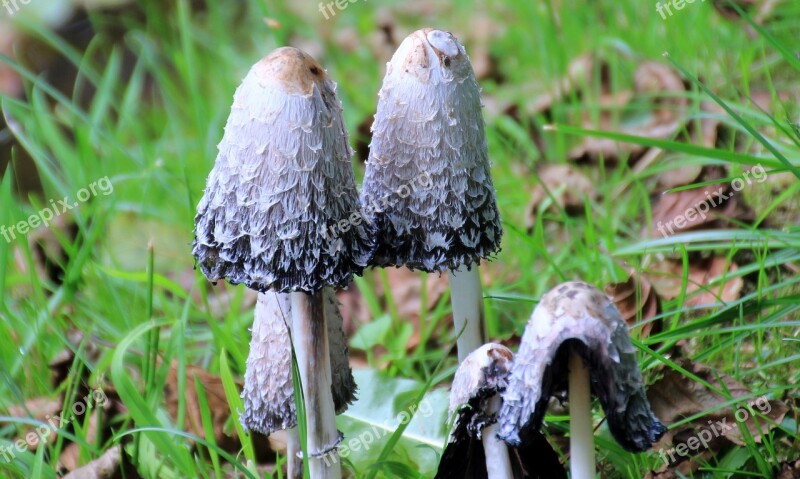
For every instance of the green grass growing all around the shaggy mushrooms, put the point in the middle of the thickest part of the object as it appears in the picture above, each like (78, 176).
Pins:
(162, 92)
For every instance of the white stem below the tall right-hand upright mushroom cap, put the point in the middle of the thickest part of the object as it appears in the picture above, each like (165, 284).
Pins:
(467, 299)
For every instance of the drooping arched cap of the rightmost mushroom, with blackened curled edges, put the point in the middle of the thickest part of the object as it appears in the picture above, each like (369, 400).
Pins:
(577, 318)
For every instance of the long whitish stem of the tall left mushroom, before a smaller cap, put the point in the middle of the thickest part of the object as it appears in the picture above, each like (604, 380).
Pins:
(310, 338)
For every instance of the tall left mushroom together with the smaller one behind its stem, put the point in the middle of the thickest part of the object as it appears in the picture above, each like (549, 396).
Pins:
(283, 177)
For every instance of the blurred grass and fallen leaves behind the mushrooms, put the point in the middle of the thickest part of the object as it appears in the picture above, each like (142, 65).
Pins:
(606, 122)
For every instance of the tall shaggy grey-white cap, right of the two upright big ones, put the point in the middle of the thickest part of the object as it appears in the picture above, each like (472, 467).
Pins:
(427, 184)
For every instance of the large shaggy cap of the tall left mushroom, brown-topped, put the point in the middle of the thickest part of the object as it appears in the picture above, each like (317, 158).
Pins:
(282, 179)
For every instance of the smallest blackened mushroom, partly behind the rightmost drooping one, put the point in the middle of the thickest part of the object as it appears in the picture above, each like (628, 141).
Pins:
(475, 397)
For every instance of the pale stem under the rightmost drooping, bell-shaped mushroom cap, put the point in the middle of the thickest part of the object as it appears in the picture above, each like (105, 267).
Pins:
(581, 444)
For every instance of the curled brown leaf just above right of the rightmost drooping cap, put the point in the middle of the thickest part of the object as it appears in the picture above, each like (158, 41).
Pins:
(637, 301)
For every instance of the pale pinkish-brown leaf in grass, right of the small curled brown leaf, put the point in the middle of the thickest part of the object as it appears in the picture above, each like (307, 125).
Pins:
(666, 277)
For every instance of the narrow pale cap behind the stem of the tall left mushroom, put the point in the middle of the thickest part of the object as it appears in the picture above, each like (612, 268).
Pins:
(268, 390)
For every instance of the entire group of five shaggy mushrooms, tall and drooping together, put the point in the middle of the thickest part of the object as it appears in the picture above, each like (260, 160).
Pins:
(281, 213)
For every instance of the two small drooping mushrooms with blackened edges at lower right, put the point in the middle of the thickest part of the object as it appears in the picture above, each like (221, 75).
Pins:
(575, 341)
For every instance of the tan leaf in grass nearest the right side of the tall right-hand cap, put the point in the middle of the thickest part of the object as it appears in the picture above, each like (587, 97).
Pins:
(568, 186)
